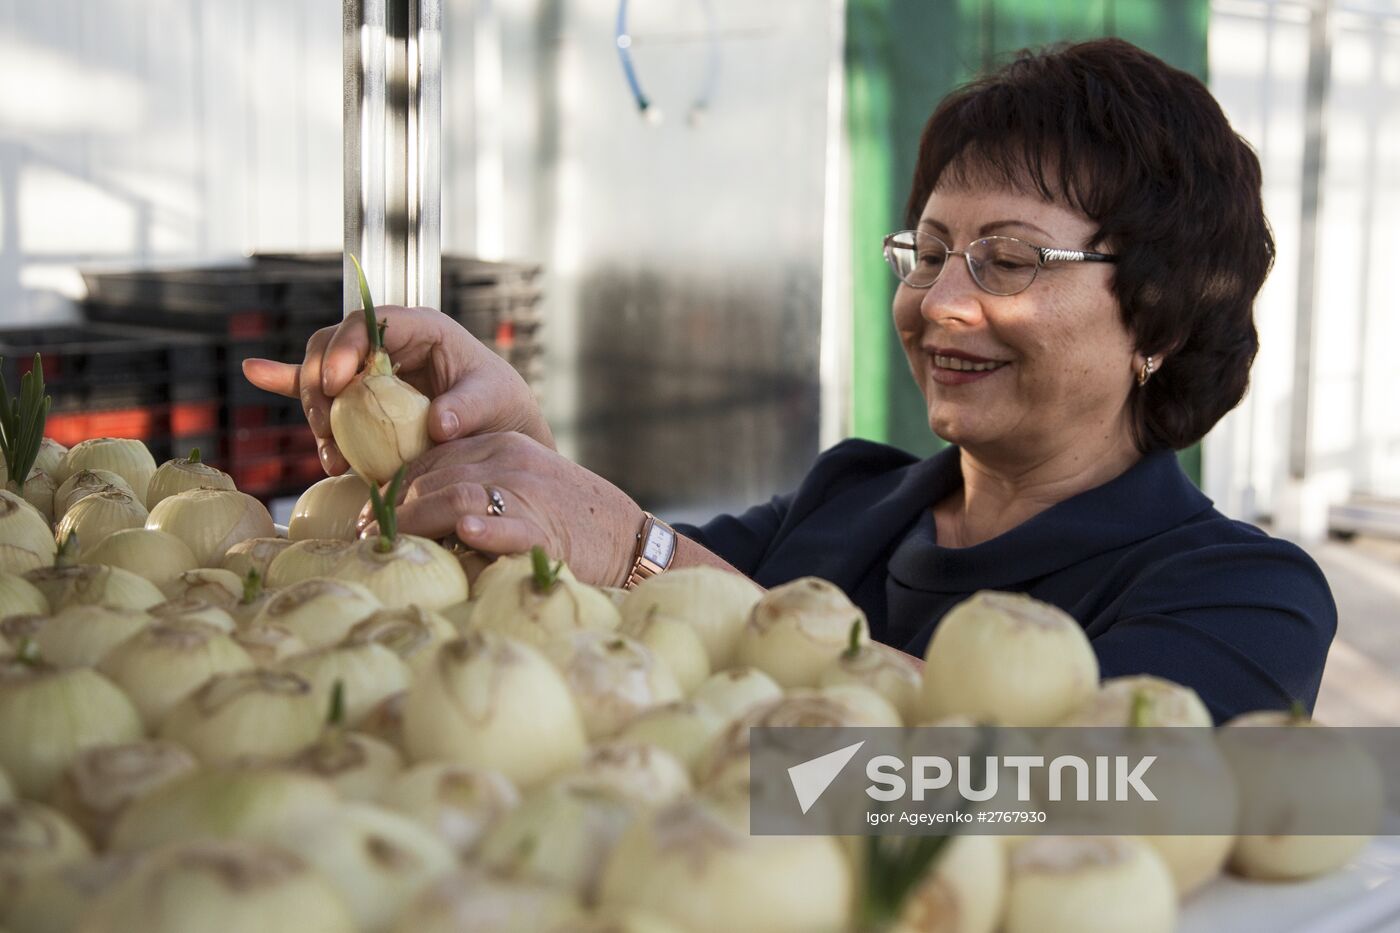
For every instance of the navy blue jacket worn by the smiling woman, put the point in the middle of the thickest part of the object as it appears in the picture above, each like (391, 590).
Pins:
(1161, 582)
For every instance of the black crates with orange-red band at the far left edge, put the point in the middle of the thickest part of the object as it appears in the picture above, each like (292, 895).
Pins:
(122, 382)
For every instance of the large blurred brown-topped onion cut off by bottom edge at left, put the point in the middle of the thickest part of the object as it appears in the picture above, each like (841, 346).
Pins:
(248, 887)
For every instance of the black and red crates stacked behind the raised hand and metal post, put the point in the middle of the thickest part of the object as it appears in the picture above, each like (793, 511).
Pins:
(268, 309)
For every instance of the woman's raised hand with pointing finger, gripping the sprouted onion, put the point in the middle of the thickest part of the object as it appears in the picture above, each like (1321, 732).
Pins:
(474, 392)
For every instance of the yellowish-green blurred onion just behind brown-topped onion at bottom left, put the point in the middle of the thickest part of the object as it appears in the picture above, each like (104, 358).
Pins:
(234, 803)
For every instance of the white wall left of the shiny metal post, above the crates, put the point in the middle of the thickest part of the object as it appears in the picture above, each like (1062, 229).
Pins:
(162, 131)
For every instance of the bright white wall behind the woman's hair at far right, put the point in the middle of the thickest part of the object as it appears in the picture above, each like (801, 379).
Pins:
(1258, 71)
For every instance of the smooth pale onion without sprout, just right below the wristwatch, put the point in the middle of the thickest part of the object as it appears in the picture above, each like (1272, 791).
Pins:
(716, 603)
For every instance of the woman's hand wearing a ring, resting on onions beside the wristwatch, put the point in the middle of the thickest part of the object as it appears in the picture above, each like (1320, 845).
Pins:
(573, 515)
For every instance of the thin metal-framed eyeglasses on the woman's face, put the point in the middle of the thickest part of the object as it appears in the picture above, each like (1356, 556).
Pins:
(999, 265)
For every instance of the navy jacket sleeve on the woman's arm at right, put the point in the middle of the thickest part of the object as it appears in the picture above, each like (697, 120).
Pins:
(1247, 626)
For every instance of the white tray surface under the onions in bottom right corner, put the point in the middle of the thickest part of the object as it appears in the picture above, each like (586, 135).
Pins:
(1361, 899)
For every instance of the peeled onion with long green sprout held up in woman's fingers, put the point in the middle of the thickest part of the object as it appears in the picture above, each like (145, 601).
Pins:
(379, 421)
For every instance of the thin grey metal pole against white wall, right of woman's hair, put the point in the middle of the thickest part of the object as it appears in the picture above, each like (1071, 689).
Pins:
(1315, 149)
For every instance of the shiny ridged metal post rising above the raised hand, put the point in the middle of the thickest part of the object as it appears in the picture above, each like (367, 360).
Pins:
(393, 141)
